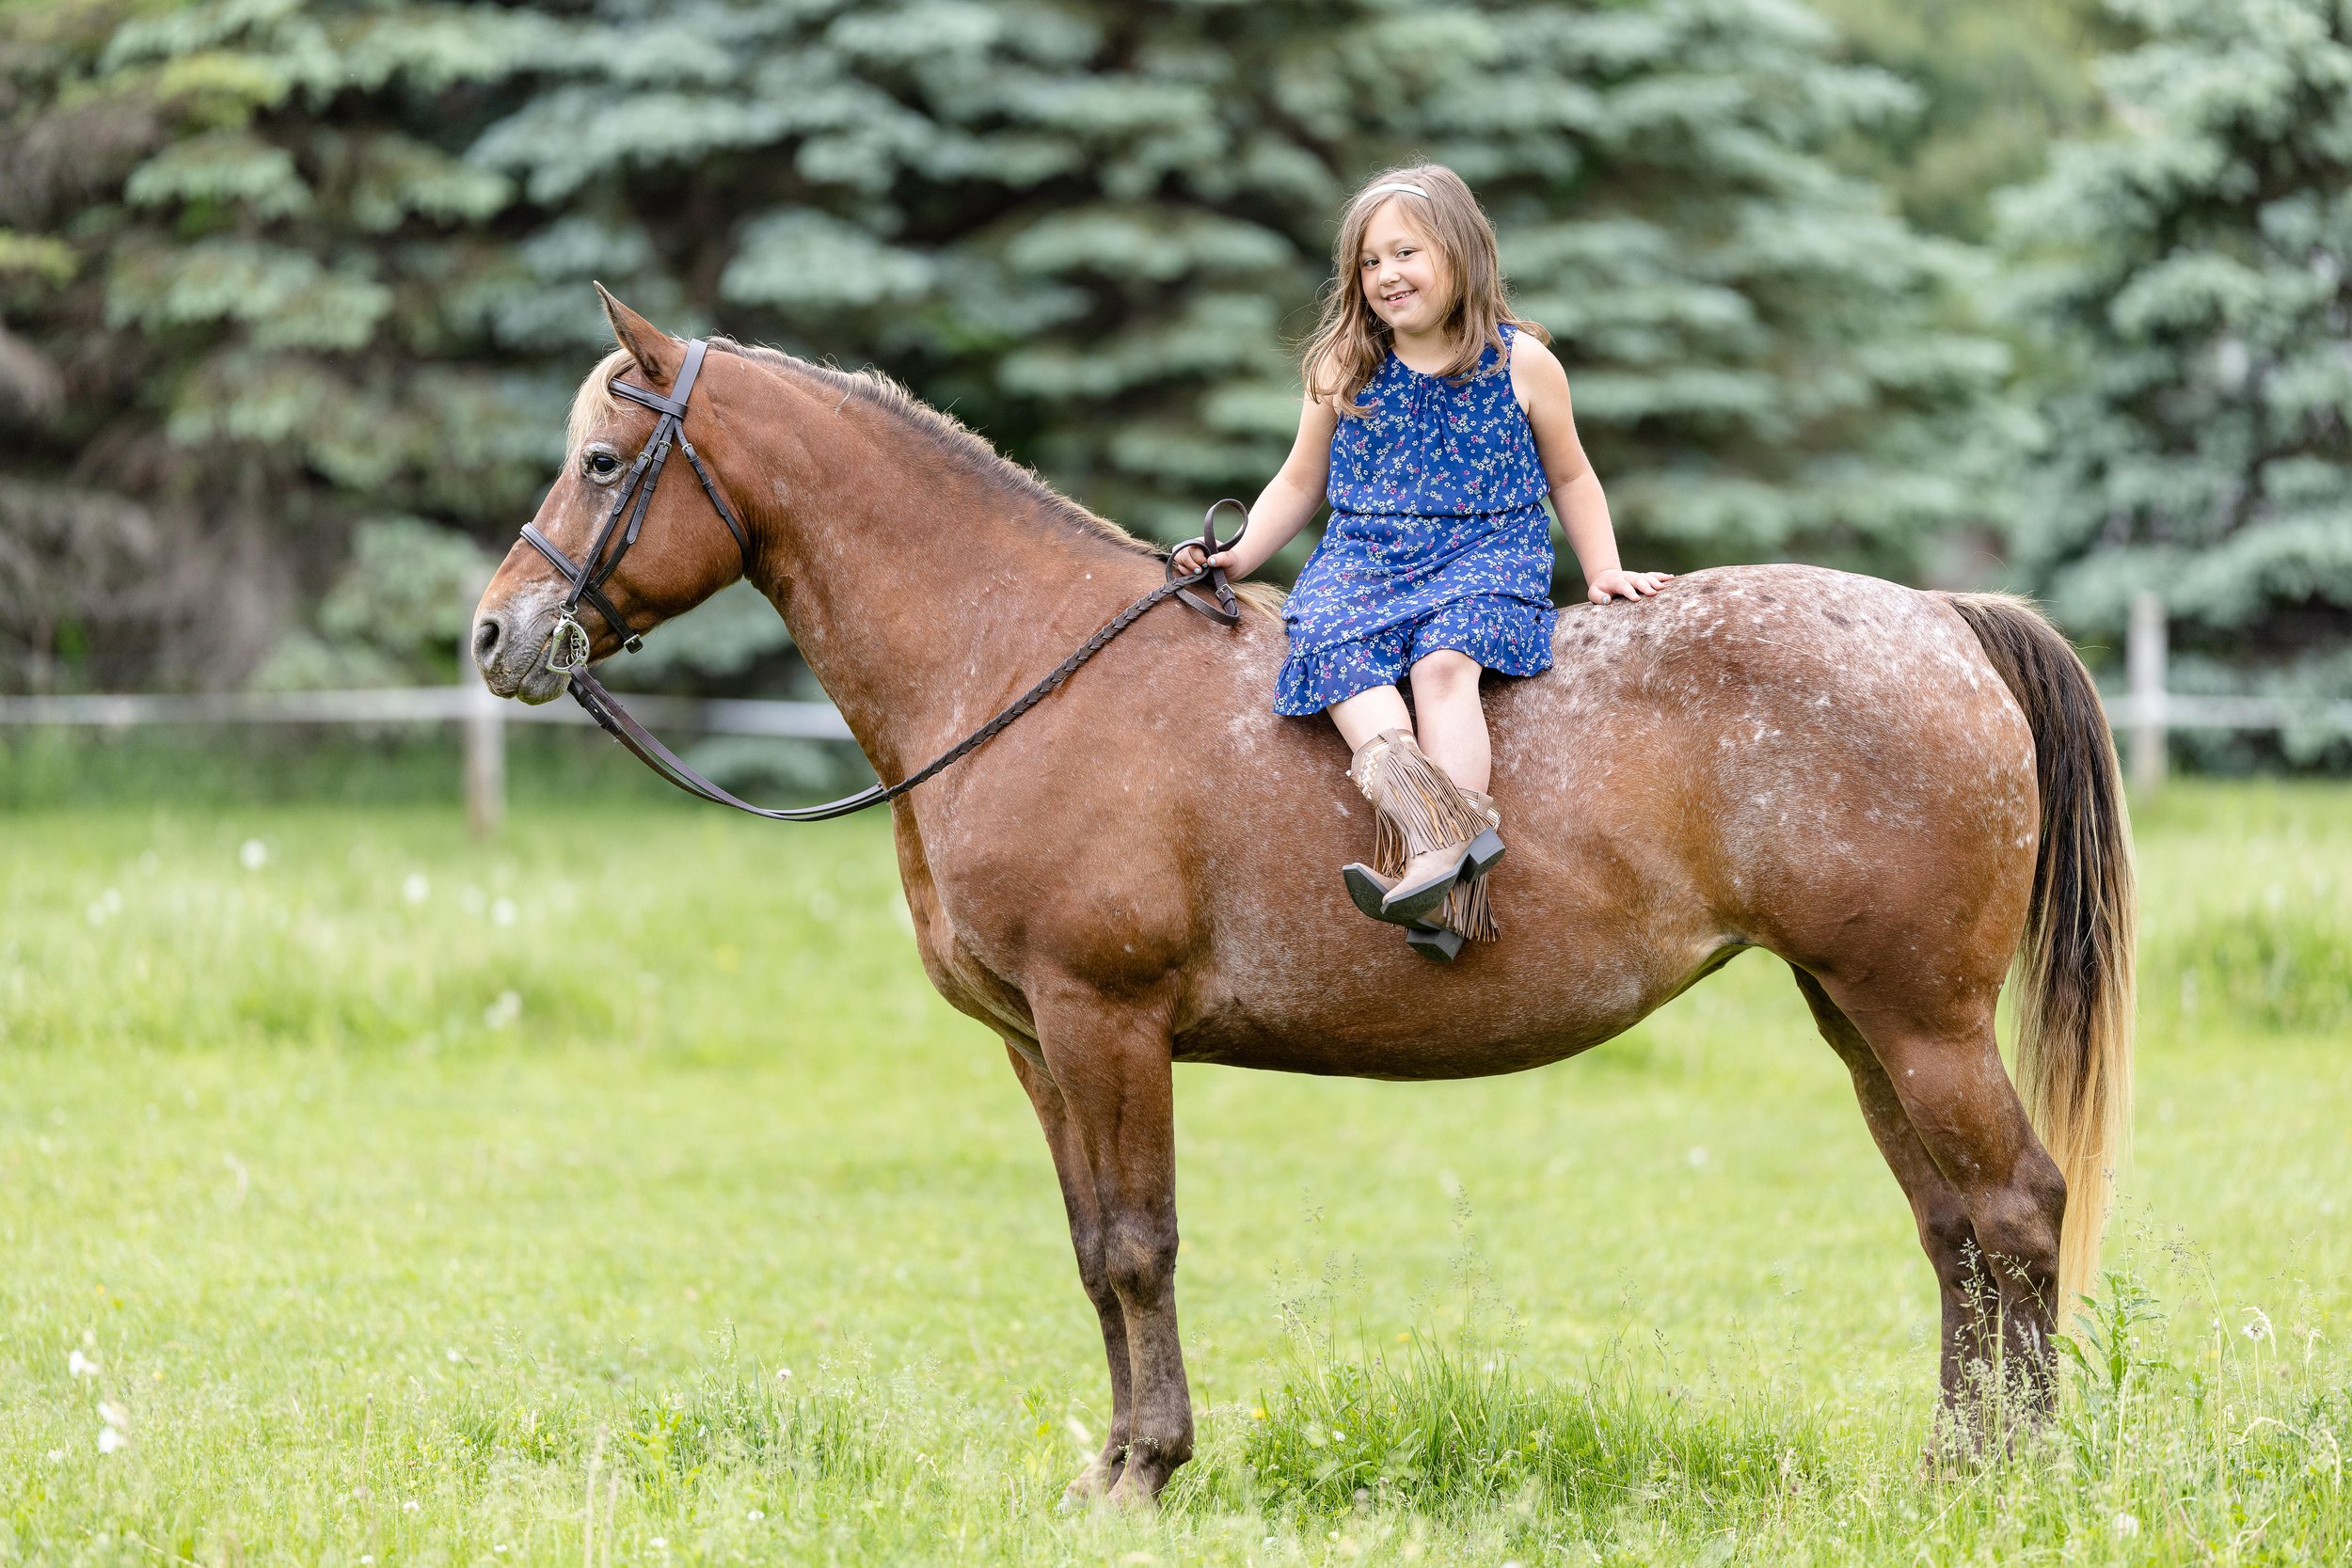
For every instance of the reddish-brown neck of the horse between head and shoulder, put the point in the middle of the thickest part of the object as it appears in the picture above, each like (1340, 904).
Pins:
(923, 596)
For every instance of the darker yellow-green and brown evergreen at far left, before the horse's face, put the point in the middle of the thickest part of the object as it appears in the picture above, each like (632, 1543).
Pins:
(241, 264)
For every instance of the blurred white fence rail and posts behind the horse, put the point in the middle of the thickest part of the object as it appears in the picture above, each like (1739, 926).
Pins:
(2144, 716)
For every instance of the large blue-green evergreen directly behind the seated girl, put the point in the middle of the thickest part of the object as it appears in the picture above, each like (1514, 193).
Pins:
(1097, 229)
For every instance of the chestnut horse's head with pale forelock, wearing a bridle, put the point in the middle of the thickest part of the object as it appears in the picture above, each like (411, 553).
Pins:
(643, 551)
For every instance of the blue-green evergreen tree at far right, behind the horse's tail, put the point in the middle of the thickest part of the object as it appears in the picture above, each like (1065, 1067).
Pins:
(2189, 279)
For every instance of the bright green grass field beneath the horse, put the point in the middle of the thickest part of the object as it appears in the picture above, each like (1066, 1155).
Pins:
(622, 1195)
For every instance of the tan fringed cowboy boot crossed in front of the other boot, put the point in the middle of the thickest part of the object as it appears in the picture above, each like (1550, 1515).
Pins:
(1429, 833)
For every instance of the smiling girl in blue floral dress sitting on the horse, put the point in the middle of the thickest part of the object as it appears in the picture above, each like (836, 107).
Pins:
(1436, 422)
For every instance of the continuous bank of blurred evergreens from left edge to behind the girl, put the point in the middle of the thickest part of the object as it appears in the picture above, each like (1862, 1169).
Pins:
(279, 272)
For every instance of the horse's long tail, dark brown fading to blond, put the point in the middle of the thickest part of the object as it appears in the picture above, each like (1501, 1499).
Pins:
(2073, 974)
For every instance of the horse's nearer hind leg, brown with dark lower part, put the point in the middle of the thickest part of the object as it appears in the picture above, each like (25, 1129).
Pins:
(1946, 1073)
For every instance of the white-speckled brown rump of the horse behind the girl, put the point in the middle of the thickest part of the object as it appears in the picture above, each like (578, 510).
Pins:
(1812, 749)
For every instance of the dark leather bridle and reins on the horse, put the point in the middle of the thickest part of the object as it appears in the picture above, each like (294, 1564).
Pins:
(568, 643)
